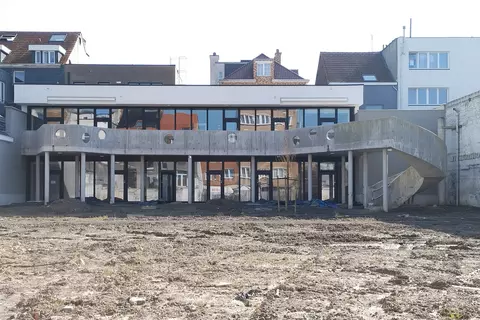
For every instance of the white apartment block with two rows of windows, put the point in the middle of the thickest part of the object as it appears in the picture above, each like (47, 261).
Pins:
(433, 71)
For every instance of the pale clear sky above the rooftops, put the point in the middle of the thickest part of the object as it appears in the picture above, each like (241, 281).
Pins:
(159, 31)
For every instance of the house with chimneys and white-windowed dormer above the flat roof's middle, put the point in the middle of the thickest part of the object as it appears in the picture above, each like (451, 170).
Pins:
(261, 70)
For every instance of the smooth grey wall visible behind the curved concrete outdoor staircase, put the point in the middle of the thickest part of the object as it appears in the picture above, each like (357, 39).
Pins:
(396, 163)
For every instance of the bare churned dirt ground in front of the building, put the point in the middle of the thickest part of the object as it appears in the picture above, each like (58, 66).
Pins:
(223, 261)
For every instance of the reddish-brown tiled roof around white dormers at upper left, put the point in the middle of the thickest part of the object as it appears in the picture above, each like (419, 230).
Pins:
(19, 46)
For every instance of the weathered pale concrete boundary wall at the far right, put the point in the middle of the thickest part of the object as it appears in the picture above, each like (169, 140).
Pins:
(469, 108)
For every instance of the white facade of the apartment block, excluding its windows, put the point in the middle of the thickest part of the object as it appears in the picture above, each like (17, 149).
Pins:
(461, 78)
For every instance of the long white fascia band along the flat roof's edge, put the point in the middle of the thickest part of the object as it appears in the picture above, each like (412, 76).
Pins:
(188, 95)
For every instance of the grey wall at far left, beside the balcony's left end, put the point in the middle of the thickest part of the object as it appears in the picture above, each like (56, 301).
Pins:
(12, 163)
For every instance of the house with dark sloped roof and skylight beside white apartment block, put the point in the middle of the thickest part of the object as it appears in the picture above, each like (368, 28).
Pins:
(360, 68)
